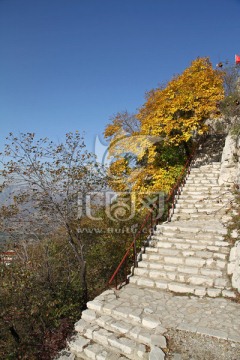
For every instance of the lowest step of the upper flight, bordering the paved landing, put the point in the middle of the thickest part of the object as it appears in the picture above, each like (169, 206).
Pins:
(180, 287)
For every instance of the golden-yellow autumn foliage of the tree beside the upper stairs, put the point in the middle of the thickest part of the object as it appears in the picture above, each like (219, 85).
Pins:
(149, 149)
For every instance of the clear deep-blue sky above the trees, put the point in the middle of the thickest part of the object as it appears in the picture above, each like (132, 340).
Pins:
(69, 65)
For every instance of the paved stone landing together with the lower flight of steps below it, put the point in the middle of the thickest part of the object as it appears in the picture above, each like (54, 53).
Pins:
(139, 315)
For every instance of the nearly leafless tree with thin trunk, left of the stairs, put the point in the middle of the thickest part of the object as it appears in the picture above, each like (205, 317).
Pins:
(46, 181)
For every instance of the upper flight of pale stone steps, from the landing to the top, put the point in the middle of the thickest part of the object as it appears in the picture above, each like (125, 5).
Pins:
(189, 254)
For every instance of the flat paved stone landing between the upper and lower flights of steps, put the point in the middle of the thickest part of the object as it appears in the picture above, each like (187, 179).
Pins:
(217, 317)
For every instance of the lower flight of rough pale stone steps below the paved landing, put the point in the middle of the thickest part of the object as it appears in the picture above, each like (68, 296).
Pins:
(118, 328)
